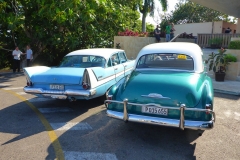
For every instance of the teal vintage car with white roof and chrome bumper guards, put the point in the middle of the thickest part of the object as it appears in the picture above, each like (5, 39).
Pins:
(167, 87)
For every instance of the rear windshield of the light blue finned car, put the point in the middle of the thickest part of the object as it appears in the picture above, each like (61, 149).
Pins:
(83, 61)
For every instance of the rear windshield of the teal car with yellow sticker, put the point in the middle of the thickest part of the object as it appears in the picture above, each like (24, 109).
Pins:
(166, 61)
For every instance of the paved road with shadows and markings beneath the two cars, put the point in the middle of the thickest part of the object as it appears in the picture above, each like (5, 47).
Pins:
(34, 128)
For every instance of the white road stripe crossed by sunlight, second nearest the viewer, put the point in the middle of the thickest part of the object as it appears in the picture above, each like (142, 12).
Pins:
(71, 126)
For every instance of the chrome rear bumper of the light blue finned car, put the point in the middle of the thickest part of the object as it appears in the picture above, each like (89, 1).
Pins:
(59, 94)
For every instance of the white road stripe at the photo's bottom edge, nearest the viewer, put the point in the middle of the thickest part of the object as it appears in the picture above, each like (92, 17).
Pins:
(89, 155)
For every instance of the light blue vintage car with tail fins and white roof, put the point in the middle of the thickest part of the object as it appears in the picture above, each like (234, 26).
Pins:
(82, 74)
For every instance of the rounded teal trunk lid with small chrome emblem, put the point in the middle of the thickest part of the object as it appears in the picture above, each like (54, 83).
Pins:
(163, 88)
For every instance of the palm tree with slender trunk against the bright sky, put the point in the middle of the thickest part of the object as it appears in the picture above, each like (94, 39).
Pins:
(148, 6)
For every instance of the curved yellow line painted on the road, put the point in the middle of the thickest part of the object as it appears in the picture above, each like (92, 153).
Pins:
(52, 135)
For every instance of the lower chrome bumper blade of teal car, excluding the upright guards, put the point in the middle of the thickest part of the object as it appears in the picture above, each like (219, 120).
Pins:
(195, 125)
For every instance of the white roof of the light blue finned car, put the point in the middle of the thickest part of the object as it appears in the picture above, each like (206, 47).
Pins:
(103, 52)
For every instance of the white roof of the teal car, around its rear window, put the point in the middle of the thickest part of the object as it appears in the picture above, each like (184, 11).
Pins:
(190, 49)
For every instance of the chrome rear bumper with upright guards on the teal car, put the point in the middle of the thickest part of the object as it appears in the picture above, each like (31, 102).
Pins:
(181, 123)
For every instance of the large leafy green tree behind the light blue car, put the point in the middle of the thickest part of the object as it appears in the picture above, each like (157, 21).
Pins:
(54, 28)
